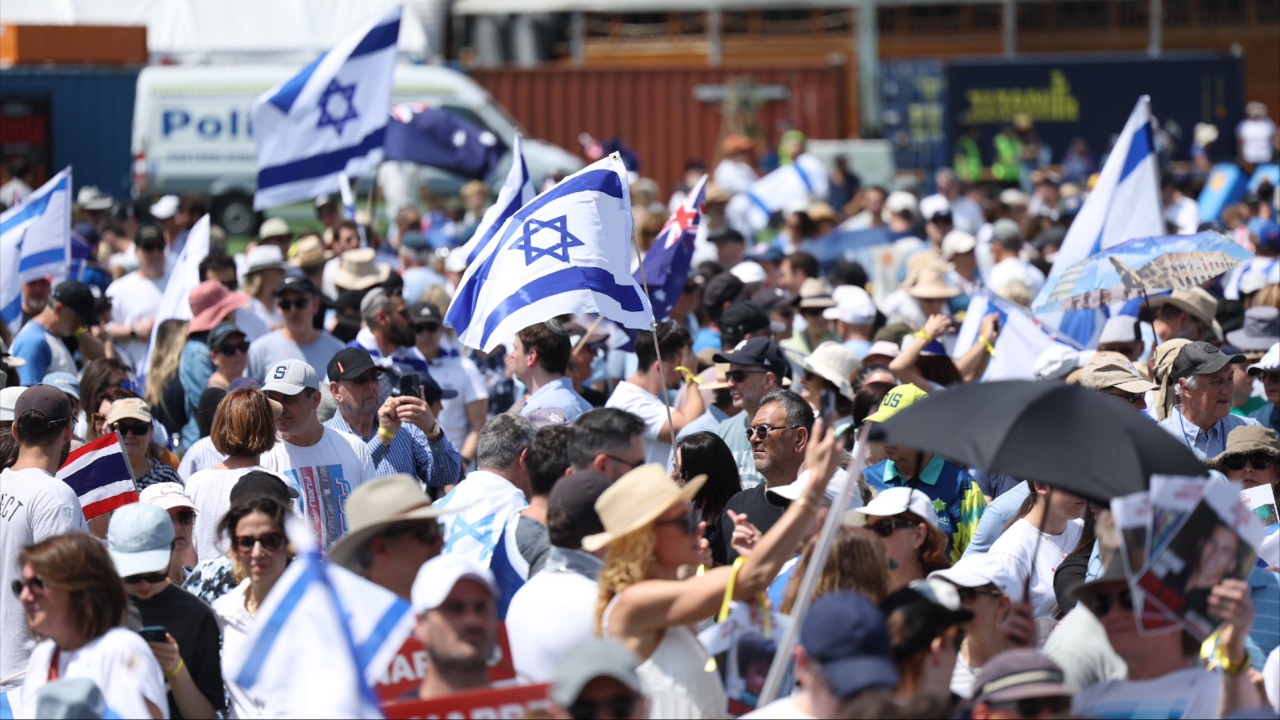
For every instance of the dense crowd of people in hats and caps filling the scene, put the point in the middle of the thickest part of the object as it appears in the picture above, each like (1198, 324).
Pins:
(605, 504)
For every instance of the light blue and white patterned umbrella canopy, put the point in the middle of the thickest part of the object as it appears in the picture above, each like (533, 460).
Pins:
(1141, 267)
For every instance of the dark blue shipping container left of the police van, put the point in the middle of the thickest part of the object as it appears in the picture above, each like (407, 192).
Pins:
(79, 117)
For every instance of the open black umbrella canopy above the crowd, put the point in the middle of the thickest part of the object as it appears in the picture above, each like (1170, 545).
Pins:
(1067, 436)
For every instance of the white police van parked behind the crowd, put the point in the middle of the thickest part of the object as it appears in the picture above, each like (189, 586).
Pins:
(193, 133)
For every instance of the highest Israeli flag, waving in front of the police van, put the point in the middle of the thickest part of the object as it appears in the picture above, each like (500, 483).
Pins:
(328, 120)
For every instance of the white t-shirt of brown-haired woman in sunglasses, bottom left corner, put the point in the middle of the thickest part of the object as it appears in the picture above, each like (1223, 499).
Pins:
(118, 662)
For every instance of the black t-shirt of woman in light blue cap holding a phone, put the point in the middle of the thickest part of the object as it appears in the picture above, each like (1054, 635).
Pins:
(194, 628)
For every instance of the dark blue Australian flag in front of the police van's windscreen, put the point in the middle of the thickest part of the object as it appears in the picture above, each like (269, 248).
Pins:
(438, 139)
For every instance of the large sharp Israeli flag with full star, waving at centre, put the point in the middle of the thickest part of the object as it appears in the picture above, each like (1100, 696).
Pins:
(568, 252)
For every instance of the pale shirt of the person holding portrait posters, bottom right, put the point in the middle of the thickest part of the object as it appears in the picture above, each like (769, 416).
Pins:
(1187, 694)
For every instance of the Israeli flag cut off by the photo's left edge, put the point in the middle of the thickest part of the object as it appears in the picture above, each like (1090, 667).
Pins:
(35, 243)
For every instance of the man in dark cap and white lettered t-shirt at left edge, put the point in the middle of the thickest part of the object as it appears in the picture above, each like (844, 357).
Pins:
(34, 505)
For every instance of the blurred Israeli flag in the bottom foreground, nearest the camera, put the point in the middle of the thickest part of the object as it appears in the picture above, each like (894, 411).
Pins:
(322, 639)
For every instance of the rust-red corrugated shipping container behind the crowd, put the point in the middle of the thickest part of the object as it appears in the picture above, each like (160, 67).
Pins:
(673, 116)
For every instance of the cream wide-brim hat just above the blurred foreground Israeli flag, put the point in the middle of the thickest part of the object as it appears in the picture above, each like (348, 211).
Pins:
(378, 505)
